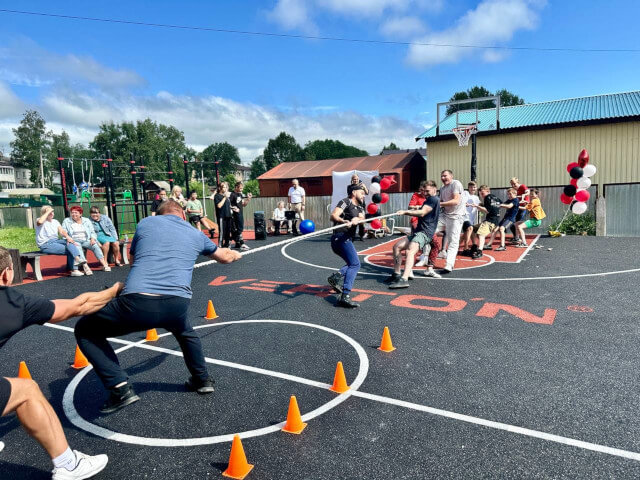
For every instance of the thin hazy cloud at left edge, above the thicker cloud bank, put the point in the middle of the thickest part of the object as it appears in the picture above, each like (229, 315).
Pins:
(24, 62)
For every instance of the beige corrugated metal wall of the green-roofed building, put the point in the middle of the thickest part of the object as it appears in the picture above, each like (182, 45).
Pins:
(540, 157)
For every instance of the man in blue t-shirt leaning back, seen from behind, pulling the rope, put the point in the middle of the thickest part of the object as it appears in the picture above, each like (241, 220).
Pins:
(152, 299)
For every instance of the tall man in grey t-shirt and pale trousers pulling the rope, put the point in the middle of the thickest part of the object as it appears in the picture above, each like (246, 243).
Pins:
(452, 217)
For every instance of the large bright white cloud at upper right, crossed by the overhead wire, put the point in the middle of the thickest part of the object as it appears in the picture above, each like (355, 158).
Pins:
(492, 23)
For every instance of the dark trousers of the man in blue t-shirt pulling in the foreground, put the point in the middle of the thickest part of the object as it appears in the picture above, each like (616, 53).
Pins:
(137, 313)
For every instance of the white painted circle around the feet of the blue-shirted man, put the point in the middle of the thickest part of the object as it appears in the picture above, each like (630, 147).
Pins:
(75, 418)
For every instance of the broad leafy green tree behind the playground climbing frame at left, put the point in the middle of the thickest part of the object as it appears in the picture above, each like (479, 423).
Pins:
(149, 141)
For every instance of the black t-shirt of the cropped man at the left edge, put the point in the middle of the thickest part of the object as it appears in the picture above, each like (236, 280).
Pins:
(20, 312)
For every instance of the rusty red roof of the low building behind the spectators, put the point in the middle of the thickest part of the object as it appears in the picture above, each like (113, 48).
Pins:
(323, 168)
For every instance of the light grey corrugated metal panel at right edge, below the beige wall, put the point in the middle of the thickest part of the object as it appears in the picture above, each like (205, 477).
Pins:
(623, 210)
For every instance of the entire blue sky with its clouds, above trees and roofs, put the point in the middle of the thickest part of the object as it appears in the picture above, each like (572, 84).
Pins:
(245, 89)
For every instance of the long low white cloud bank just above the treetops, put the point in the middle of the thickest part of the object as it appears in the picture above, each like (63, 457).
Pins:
(205, 120)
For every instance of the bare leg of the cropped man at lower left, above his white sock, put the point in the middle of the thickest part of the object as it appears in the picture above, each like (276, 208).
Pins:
(36, 415)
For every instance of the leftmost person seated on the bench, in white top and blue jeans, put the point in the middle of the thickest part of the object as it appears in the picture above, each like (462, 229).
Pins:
(47, 231)
